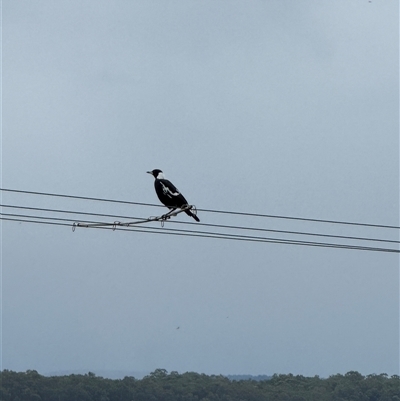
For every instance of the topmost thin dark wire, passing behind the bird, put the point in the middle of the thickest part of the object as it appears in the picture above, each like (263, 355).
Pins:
(206, 210)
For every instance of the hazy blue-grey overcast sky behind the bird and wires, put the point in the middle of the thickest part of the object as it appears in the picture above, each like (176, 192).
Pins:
(275, 107)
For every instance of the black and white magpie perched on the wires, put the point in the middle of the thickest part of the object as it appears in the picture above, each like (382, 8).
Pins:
(168, 193)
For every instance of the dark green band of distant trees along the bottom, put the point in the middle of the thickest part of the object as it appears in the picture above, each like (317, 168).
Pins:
(163, 386)
